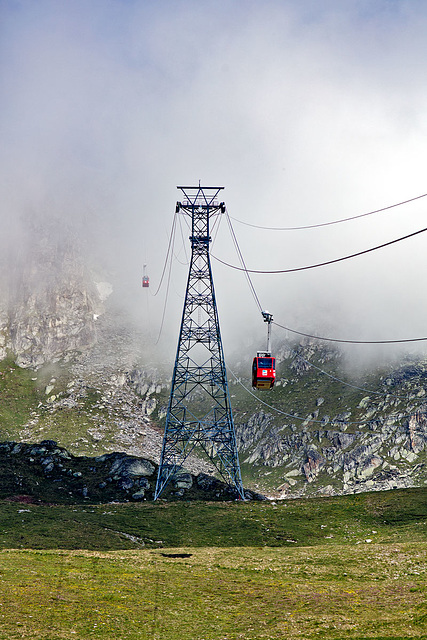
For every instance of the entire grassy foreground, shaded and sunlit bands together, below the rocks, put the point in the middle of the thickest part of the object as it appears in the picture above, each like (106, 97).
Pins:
(349, 567)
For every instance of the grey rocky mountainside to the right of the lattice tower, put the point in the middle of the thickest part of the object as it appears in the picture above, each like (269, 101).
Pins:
(368, 436)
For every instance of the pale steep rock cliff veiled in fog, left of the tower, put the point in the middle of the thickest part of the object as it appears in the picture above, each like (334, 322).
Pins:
(52, 301)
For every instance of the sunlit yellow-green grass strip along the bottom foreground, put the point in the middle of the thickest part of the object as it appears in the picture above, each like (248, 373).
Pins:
(216, 593)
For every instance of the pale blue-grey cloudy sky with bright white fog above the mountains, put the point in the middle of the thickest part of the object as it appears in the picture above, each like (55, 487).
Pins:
(304, 111)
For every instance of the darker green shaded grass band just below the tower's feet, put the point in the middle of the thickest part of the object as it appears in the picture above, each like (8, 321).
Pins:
(394, 516)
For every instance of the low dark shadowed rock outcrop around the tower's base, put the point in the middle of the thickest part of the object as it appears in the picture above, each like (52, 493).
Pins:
(47, 472)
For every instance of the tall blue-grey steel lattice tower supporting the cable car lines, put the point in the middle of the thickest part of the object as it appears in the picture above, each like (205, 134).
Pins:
(199, 378)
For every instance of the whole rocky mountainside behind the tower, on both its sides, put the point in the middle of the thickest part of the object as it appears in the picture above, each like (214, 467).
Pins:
(74, 370)
